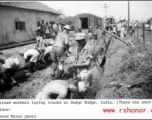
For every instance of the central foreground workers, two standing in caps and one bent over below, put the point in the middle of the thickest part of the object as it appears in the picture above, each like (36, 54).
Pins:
(85, 62)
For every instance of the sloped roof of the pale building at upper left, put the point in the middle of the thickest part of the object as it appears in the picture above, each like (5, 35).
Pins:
(31, 6)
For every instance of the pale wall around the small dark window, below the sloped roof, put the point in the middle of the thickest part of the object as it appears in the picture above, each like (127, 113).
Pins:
(7, 23)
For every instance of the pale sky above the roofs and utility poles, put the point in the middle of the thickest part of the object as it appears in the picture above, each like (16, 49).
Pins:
(139, 10)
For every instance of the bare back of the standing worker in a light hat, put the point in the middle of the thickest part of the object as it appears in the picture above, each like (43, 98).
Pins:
(61, 40)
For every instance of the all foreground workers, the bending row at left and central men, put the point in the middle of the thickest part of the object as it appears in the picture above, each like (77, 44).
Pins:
(54, 54)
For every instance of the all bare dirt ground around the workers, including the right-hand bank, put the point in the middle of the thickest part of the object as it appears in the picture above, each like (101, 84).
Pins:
(127, 74)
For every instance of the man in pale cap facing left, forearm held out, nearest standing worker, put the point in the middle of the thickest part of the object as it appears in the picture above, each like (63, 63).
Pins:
(84, 63)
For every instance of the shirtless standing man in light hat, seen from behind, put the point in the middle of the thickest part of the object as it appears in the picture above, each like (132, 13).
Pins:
(60, 45)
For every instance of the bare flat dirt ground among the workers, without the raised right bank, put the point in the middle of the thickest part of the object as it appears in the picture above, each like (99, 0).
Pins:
(29, 87)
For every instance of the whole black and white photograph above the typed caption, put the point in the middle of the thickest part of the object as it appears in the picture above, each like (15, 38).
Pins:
(75, 50)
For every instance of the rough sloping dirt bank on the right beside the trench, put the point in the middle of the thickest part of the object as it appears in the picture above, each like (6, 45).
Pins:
(128, 72)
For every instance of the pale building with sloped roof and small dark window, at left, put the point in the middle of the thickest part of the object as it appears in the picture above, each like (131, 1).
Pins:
(19, 20)
